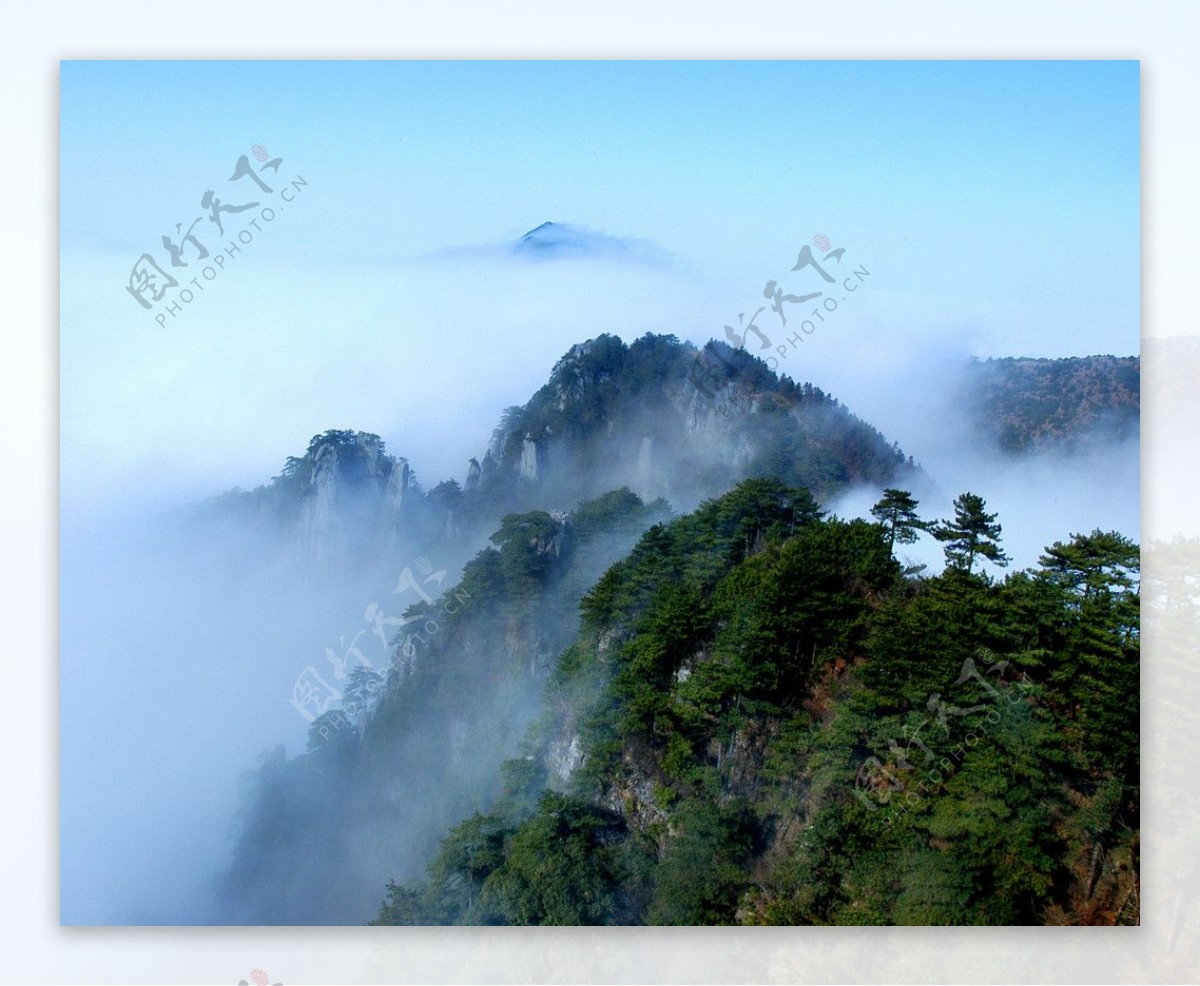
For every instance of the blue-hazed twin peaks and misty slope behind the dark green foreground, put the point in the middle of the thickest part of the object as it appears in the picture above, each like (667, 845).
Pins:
(407, 750)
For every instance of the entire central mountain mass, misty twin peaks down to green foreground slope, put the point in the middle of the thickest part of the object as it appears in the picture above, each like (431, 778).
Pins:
(693, 720)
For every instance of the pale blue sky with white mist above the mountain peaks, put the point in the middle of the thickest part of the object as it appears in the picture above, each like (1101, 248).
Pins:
(997, 206)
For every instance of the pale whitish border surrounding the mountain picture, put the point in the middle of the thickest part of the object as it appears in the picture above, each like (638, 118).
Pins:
(38, 951)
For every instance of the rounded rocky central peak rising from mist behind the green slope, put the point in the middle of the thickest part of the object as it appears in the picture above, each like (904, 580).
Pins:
(668, 420)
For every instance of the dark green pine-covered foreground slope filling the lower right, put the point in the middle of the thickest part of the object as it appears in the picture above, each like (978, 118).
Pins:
(778, 726)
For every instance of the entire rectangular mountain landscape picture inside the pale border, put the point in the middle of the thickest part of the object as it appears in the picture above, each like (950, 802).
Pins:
(443, 461)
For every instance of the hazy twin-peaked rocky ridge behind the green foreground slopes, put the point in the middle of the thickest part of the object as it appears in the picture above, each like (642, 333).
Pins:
(657, 417)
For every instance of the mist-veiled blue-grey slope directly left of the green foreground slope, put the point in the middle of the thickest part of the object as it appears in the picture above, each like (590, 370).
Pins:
(415, 747)
